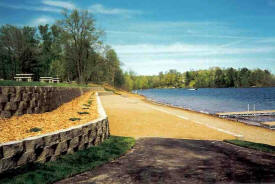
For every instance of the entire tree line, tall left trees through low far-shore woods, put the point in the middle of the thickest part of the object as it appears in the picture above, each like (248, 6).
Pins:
(73, 50)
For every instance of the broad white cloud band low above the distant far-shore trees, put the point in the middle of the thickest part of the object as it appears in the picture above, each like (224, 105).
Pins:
(153, 58)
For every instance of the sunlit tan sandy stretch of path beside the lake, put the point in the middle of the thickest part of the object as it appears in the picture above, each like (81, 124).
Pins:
(132, 116)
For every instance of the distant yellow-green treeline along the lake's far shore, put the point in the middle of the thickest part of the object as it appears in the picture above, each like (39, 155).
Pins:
(211, 78)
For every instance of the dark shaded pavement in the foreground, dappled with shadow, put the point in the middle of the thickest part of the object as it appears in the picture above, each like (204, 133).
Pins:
(159, 160)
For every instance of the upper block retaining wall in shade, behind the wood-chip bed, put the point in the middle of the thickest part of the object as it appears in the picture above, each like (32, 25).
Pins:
(29, 100)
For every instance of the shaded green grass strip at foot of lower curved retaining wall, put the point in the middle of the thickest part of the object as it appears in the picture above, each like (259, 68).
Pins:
(69, 165)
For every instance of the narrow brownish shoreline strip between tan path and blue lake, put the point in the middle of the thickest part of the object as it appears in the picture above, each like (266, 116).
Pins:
(249, 123)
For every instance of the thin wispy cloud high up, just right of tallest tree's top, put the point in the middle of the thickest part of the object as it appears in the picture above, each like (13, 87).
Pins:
(100, 9)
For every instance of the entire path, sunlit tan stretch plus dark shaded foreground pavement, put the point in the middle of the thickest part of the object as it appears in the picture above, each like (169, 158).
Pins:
(175, 158)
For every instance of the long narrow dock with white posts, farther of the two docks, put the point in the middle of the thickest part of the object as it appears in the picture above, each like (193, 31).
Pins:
(246, 114)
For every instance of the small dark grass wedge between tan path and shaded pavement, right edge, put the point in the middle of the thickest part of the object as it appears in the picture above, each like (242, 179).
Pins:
(253, 145)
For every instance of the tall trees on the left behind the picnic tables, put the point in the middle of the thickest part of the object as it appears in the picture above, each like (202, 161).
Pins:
(71, 49)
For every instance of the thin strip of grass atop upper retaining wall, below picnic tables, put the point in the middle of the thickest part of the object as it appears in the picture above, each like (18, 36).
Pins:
(15, 83)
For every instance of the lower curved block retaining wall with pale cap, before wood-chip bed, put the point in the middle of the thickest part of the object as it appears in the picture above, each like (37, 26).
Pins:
(48, 147)
